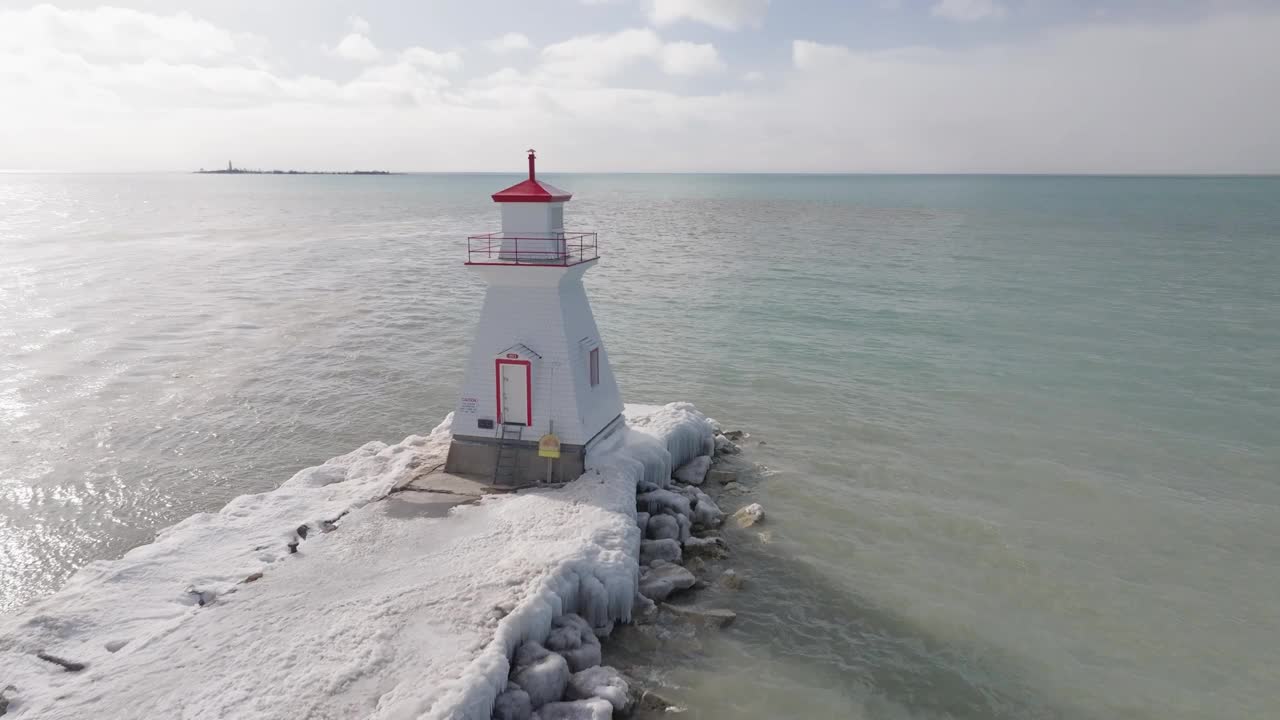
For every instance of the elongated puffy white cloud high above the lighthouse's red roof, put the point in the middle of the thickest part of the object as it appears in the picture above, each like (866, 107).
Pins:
(595, 58)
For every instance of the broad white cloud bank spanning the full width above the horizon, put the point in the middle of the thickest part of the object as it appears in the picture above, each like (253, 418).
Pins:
(1094, 98)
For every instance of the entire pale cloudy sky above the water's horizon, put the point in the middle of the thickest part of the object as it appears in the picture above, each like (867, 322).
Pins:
(894, 86)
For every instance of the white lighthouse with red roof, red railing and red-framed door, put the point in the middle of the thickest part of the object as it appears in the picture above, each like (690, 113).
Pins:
(538, 366)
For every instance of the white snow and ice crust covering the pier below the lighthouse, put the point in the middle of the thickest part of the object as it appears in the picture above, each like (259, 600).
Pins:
(363, 613)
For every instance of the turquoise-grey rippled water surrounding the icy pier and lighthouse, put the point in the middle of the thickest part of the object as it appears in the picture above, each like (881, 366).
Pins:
(1023, 434)
